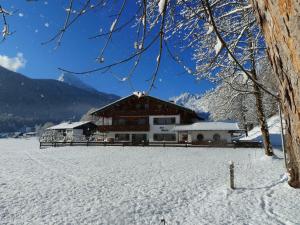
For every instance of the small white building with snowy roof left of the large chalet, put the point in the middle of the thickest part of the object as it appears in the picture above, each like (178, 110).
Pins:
(76, 131)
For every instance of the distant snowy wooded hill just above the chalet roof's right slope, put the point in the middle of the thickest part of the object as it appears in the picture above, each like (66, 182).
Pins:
(196, 102)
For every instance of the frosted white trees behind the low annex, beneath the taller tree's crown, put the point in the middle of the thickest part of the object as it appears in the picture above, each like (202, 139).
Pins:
(233, 98)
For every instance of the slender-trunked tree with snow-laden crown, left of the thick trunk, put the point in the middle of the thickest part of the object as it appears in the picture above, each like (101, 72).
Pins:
(227, 42)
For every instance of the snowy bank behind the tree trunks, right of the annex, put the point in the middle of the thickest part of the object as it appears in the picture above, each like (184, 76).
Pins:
(274, 130)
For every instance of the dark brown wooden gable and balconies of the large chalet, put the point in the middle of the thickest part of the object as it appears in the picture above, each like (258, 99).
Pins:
(132, 113)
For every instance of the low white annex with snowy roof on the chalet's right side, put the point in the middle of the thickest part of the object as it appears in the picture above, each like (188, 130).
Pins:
(201, 132)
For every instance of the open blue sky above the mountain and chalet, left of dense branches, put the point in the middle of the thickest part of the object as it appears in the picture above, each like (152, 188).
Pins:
(36, 22)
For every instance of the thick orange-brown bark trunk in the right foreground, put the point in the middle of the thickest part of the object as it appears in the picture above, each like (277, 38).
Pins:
(280, 22)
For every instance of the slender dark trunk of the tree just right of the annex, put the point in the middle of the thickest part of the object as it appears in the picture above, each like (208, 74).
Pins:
(262, 120)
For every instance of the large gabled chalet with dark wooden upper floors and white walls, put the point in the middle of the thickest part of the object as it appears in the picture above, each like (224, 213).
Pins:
(141, 118)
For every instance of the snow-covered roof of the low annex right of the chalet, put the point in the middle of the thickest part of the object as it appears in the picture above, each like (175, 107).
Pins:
(208, 126)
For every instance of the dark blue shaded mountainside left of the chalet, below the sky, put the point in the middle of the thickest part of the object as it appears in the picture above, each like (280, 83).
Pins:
(26, 102)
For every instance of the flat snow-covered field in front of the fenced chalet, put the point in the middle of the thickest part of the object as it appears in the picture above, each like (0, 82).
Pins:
(136, 185)
